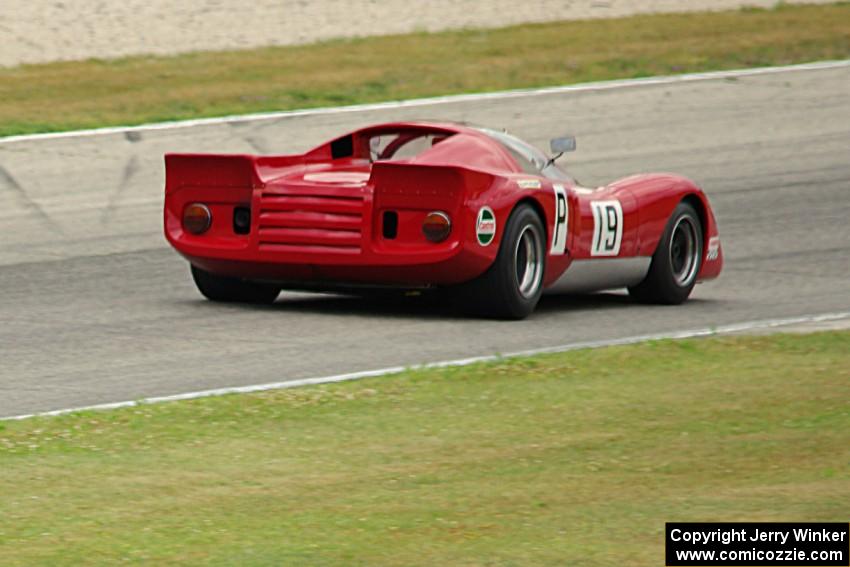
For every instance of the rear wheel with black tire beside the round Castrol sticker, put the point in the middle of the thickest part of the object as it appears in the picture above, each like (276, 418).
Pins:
(512, 286)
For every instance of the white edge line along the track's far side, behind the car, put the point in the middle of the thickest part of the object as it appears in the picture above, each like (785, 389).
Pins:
(498, 95)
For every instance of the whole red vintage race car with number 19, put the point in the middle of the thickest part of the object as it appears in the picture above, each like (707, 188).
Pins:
(415, 205)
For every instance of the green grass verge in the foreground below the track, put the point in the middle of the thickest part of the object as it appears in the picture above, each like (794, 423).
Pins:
(571, 459)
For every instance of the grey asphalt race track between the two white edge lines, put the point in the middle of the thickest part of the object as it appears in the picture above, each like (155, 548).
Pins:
(96, 308)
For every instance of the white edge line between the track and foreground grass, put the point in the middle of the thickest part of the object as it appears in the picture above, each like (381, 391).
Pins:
(693, 333)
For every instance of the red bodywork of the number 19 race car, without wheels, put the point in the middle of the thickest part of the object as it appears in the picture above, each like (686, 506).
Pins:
(318, 218)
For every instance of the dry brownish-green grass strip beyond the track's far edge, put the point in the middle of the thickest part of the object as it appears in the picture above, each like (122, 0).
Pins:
(66, 96)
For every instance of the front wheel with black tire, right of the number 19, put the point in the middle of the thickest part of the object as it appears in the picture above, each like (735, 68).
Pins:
(676, 262)
